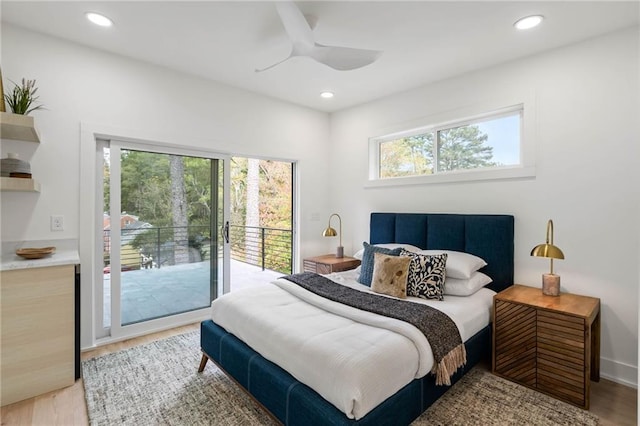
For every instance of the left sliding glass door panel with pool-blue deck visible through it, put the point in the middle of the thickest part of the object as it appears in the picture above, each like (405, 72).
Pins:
(165, 255)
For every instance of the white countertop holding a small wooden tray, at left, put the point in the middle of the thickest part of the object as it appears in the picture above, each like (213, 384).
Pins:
(66, 254)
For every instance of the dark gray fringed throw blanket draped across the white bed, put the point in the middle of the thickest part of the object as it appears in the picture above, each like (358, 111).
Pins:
(440, 330)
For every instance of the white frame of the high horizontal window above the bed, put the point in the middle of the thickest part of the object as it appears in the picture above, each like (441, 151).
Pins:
(460, 118)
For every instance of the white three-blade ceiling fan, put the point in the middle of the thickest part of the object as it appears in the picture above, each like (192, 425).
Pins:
(303, 43)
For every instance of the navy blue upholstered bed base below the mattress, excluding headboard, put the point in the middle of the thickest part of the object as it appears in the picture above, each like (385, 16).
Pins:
(294, 403)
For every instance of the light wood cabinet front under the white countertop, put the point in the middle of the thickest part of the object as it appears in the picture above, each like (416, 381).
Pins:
(38, 331)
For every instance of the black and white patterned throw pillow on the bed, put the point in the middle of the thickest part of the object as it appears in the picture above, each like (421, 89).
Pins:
(426, 275)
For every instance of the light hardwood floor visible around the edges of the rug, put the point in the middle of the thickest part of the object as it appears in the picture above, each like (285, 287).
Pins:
(614, 404)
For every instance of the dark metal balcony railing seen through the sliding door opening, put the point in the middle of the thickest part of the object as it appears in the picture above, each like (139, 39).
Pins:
(155, 247)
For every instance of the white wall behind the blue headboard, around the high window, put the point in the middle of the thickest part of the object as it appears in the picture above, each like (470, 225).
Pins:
(587, 162)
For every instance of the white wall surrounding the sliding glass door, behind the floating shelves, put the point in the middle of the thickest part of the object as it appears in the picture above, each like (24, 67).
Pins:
(81, 85)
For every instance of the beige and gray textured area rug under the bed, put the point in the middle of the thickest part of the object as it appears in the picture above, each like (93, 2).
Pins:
(158, 384)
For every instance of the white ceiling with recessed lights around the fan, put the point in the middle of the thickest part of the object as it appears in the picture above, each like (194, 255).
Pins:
(422, 41)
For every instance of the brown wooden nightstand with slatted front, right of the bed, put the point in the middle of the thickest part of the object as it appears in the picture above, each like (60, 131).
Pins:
(548, 343)
